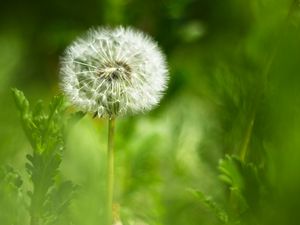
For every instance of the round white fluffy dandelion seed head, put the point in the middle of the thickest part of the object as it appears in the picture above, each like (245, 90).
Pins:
(114, 72)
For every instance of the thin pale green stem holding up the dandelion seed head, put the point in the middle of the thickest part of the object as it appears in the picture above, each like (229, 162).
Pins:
(110, 169)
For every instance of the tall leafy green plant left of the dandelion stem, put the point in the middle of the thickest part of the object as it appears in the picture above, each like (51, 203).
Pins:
(49, 196)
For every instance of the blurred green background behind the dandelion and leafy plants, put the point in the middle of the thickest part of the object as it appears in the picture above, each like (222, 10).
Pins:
(234, 88)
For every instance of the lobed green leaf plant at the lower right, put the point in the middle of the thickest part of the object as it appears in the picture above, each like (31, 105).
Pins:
(246, 192)
